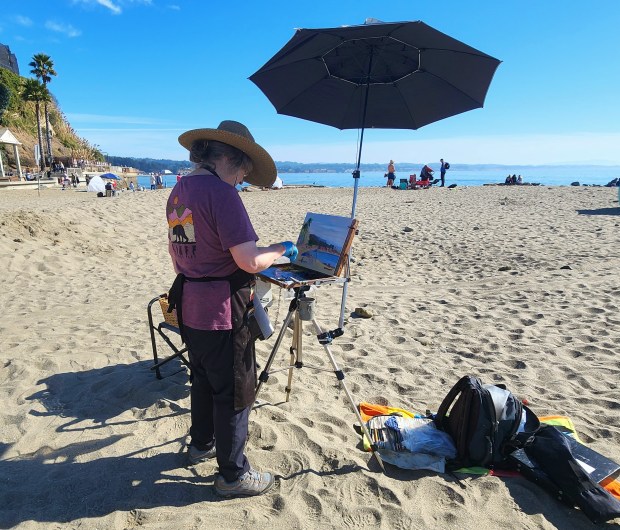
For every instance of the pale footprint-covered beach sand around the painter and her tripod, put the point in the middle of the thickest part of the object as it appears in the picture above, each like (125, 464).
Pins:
(512, 284)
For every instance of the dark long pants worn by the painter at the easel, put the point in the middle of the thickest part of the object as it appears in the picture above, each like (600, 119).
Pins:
(214, 418)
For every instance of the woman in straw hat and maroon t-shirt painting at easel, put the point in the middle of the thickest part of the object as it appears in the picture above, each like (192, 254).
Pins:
(213, 291)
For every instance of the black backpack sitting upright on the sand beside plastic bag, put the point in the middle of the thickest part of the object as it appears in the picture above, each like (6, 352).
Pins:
(483, 421)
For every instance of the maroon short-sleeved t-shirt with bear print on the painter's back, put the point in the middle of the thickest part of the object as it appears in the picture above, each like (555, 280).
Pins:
(206, 217)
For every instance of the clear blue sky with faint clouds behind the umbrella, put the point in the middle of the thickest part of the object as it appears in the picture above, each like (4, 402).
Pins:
(134, 74)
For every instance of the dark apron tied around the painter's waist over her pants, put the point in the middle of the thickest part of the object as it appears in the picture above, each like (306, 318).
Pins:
(241, 307)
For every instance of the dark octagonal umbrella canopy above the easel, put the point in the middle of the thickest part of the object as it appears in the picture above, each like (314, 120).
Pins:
(401, 75)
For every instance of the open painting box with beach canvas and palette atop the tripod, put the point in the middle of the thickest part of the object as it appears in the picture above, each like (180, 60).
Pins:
(323, 243)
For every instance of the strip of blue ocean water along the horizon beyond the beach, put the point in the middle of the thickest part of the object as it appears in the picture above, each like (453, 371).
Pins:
(543, 175)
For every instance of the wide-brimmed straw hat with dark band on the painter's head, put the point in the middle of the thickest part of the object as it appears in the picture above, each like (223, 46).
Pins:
(236, 134)
